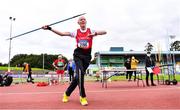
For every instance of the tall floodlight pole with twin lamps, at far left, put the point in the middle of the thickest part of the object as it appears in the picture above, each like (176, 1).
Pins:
(10, 34)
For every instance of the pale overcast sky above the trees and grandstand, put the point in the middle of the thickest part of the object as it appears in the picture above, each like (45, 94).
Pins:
(129, 24)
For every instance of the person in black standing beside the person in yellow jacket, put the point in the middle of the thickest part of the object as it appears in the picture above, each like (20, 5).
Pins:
(127, 64)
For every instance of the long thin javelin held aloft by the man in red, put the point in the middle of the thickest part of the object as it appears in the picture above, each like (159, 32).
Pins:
(41, 28)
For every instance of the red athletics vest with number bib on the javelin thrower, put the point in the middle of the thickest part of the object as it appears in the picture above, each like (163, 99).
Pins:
(83, 40)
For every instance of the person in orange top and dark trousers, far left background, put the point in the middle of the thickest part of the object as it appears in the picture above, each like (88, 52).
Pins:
(27, 69)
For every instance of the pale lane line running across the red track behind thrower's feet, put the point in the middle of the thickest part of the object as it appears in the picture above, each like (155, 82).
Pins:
(100, 91)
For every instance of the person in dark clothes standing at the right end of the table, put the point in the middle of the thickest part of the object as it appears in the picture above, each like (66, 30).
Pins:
(150, 63)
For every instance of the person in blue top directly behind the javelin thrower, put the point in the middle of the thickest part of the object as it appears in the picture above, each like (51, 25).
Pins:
(71, 68)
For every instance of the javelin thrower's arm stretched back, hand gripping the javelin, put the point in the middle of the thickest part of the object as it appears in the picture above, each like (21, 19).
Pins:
(46, 27)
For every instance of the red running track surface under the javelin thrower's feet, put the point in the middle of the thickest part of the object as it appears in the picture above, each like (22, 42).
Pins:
(118, 95)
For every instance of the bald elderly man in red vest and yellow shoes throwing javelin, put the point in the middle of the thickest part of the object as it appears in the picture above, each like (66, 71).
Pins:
(82, 56)
